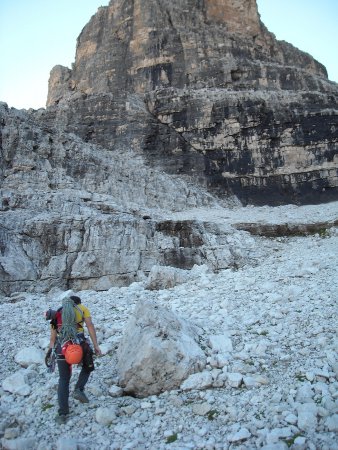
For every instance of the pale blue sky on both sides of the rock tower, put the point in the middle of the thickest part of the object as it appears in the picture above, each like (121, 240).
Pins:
(36, 35)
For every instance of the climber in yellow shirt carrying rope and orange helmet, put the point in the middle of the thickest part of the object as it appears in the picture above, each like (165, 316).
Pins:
(66, 330)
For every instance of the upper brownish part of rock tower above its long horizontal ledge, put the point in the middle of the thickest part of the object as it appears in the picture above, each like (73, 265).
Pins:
(137, 46)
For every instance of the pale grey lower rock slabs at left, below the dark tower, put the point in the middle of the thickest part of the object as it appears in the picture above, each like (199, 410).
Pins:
(73, 215)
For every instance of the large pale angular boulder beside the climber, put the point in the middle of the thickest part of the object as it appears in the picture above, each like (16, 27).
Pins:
(158, 351)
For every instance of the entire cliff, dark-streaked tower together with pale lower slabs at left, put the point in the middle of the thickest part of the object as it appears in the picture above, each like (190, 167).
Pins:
(168, 106)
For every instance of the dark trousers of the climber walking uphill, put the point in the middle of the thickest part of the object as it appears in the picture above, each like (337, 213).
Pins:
(65, 372)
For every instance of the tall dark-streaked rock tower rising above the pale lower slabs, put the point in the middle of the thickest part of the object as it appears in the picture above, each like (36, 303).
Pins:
(221, 100)
